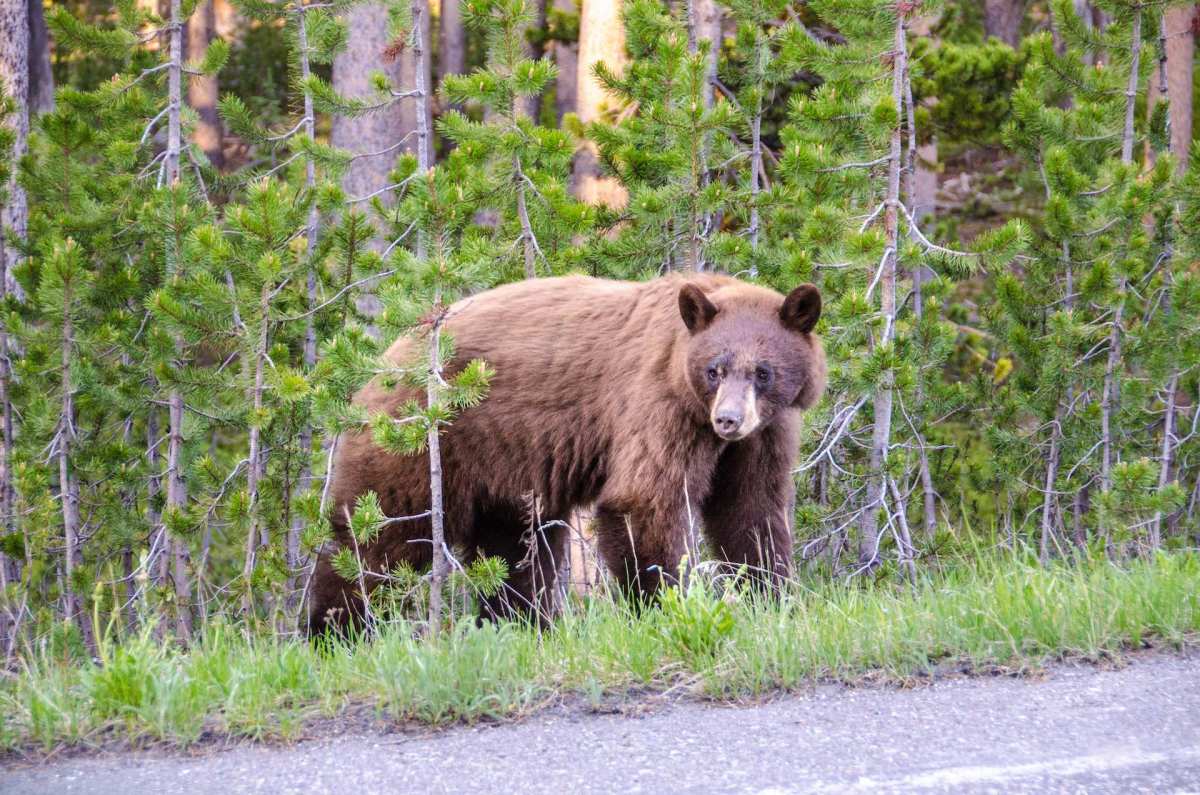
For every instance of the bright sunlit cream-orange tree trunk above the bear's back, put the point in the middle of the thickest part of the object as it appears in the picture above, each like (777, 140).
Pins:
(602, 40)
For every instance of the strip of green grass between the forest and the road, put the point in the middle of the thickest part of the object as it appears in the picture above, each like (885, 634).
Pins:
(998, 612)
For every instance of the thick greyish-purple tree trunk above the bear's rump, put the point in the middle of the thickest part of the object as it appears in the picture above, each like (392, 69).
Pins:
(376, 131)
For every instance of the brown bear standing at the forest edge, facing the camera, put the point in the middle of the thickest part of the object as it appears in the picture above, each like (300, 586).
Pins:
(659, 405)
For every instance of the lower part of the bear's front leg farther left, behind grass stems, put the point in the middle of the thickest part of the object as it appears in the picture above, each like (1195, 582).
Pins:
(643, 548)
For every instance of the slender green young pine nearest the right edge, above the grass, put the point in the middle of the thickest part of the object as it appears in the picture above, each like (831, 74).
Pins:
(1082, 324)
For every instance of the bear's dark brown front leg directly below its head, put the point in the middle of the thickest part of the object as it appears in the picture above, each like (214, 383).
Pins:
(747, 515)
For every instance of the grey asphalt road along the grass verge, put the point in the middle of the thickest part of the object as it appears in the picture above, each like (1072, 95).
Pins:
(1079, 730)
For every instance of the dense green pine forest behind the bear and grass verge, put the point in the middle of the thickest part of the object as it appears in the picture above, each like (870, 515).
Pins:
(217, 216)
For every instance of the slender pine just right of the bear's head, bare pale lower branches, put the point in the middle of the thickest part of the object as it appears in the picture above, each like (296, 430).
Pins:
(843, 163)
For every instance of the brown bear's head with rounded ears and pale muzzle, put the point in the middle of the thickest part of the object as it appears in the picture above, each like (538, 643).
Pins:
(752, 354)
